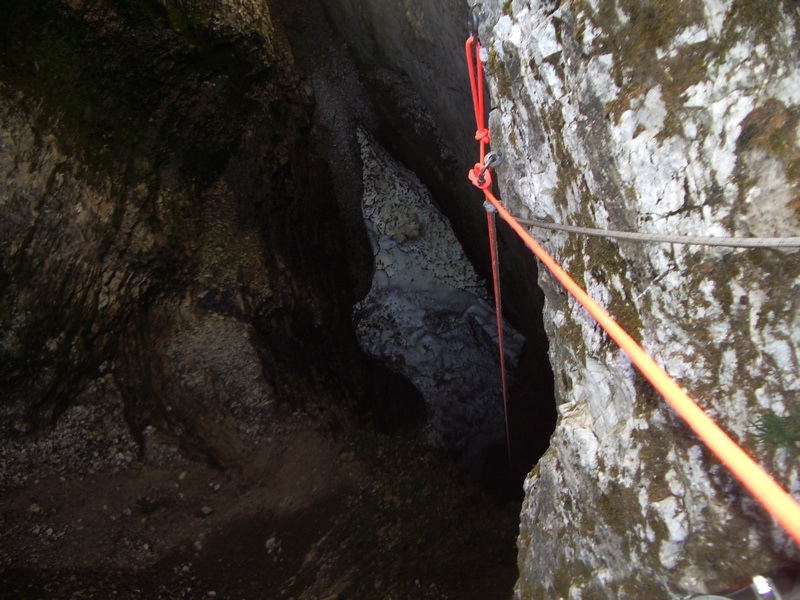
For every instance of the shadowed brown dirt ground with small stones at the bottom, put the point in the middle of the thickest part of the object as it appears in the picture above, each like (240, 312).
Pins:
(311, 514)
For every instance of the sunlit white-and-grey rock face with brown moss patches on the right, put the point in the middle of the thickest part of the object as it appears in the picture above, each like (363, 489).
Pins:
(671, 119)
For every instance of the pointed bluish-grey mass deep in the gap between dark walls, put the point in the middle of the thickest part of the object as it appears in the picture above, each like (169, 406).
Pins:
(427, 314)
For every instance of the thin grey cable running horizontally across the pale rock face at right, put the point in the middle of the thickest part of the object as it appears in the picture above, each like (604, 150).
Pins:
(731, 242)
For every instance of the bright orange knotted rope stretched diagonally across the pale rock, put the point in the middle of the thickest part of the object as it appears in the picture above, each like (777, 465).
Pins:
(760, 484)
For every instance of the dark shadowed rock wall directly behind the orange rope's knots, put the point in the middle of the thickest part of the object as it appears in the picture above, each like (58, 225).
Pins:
(410, 59)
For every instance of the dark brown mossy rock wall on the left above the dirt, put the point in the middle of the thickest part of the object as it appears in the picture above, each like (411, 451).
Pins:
(165, 213)
